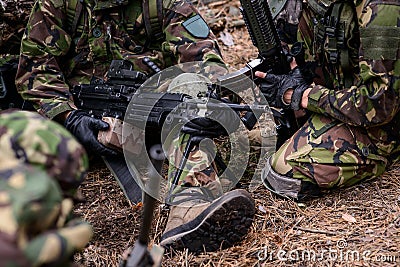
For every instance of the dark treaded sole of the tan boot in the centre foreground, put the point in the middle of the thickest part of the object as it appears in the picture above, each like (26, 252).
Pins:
(221, 225)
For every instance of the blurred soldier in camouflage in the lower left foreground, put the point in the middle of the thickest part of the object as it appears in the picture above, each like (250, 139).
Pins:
(41, 166)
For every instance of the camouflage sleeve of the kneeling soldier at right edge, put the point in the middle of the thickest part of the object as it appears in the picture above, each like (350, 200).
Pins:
(374, 100)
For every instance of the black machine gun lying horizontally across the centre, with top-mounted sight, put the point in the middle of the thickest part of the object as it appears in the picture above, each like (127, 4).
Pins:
(122, 98)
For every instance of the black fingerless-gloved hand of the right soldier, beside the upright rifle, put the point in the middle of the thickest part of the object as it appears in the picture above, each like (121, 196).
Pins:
(274, 88)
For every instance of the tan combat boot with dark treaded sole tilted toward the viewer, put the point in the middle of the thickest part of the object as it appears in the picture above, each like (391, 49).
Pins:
(200, 222)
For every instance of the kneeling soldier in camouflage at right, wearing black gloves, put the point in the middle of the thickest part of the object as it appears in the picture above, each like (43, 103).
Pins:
(353, 132)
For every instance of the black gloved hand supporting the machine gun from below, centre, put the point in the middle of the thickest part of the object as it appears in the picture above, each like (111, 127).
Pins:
(210, 126)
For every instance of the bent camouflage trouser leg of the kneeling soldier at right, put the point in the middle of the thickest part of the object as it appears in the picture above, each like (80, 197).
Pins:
(329, 153)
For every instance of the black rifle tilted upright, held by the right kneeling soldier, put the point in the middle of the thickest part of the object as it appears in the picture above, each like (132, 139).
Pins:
(272, 58)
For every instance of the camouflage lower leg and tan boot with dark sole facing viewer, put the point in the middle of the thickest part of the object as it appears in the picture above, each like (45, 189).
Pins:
(202, 216)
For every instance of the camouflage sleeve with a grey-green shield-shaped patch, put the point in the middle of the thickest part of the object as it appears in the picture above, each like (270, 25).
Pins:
(188, 37)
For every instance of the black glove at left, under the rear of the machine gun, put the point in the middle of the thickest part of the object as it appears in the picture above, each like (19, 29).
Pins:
(85, 129)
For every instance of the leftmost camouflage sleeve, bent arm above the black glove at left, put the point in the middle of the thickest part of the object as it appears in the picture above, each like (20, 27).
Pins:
(39, 77)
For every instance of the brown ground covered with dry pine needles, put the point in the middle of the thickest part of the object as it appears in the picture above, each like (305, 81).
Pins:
(357, 226)
